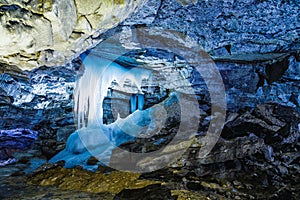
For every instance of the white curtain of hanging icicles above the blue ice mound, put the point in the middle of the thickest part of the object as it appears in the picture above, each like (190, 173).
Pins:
(92, 87)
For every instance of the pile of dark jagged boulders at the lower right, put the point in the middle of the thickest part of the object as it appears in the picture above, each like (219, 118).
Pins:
(250, 161)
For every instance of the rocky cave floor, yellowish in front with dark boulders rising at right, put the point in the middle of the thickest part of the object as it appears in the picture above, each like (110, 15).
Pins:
(257, 157)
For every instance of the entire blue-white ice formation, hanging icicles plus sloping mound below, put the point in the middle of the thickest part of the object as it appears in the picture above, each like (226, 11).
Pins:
(93, 137)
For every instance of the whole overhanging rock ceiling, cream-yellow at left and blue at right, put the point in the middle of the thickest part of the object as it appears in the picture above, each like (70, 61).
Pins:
(55, 32)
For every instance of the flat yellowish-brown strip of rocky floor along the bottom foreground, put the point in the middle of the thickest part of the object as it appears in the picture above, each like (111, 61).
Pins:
(60, 183)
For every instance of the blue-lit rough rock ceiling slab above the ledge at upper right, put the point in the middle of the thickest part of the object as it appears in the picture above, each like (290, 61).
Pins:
(232, 28)
